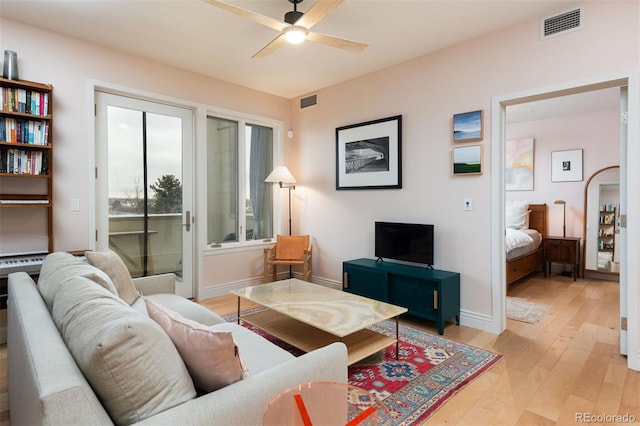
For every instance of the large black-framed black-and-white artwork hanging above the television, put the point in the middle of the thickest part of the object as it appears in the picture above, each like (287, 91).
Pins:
(369, 155)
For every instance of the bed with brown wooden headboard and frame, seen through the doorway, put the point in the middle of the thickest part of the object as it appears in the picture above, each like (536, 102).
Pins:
(525, 259)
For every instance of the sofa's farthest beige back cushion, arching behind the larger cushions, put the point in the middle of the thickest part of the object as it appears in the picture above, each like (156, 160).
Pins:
(60, 265)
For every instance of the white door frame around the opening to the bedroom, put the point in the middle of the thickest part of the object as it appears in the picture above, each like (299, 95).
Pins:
(629, 177)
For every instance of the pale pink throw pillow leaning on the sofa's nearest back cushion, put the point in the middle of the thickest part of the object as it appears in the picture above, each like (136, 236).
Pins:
(211, 357)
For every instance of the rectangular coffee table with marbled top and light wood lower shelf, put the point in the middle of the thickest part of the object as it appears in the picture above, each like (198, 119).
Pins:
(310, 316)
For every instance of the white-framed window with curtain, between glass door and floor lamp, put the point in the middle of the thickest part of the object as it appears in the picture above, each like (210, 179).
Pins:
(239, 202)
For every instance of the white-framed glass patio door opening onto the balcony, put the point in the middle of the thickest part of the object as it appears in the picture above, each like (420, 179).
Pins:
(144, 185)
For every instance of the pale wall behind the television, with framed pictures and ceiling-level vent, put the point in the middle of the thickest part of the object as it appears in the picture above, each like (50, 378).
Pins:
(427, 92)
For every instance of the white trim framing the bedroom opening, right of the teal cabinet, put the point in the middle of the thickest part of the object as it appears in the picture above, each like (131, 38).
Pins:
(629, 272)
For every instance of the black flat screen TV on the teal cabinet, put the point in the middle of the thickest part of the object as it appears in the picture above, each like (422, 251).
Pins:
(409, 242)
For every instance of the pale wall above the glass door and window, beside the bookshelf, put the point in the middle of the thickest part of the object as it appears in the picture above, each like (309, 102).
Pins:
(69, 64)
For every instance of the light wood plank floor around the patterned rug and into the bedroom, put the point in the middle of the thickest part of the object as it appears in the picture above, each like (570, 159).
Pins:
(566, 364)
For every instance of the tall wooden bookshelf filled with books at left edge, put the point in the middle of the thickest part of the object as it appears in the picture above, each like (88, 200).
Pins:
(26, 151)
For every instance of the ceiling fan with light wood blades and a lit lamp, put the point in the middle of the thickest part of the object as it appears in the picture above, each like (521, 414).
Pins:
(296, 26)
